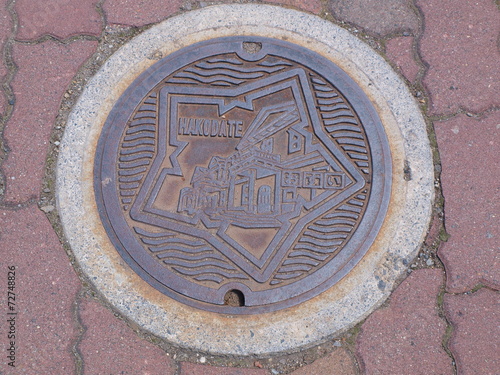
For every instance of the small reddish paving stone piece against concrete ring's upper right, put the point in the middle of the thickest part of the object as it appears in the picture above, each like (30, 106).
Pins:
(400, 52)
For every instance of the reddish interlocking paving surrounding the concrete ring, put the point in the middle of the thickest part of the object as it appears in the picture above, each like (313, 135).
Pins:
(439, 320)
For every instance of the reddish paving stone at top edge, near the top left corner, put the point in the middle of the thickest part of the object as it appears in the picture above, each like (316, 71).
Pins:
(59, 18)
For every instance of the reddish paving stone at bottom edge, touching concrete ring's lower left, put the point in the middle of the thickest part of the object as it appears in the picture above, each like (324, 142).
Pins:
(106, 336)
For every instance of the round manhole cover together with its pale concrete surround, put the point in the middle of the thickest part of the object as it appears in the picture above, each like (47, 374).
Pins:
(245, 179)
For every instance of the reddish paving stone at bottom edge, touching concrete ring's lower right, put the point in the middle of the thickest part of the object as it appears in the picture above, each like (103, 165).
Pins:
(408, 333)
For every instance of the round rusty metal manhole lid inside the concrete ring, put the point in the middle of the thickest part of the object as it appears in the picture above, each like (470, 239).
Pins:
(242, 175)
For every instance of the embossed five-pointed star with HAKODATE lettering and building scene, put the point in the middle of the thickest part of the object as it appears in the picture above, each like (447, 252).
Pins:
(254, 192)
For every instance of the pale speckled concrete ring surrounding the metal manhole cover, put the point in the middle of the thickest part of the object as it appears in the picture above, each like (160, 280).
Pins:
(332, 312)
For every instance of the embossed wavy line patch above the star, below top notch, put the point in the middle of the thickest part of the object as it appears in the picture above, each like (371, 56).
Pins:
(226, 72)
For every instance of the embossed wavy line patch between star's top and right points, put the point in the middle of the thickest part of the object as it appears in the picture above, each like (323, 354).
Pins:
(342, 124)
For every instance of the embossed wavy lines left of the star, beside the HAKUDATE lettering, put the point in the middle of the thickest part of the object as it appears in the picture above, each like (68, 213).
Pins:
(137, 150)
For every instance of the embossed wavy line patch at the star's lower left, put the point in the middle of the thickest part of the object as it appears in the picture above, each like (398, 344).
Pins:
(193, 258)
